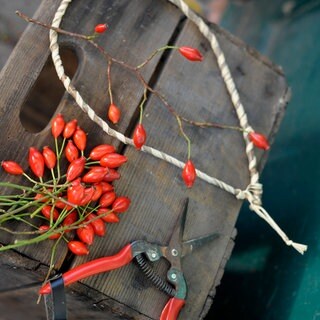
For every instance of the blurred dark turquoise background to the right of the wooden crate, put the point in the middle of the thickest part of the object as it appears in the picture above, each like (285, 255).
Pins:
(264, 278)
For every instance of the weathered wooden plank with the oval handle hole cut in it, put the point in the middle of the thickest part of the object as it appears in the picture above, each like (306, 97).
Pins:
(90, 77)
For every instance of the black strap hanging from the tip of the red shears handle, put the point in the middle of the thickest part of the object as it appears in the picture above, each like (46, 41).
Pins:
(58, 299)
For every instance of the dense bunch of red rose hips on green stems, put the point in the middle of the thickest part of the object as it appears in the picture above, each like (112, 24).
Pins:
(83, 199)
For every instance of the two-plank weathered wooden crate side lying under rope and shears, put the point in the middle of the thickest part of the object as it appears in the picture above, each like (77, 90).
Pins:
(155, 187)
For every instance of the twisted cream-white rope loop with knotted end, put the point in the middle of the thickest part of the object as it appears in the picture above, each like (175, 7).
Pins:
(253, 192)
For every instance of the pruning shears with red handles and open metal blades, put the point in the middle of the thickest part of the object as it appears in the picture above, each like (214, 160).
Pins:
(175, 286)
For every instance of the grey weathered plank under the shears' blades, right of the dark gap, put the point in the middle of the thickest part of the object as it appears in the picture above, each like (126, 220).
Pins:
(156, 187)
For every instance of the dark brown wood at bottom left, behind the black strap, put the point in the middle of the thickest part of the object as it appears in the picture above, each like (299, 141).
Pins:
(16, 302)
